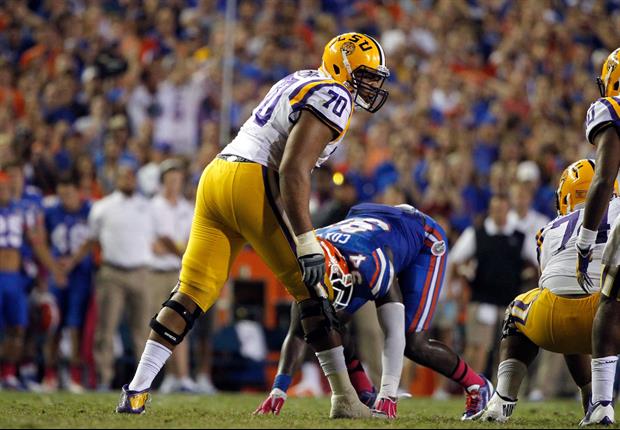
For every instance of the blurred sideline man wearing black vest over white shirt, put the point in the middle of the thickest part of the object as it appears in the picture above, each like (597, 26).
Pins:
(500, 252)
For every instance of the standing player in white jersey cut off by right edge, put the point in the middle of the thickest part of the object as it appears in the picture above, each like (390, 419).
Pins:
(602, 131)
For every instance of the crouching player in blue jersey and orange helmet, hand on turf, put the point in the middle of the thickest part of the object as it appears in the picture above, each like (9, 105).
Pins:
(396, 257)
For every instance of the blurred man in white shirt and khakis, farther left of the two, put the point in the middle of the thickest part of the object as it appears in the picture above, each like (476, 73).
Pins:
(122, 224)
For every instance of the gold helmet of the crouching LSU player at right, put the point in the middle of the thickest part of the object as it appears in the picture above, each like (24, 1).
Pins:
(574, 185)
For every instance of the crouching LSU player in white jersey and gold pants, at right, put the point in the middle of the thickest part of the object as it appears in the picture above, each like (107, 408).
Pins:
(558, 315)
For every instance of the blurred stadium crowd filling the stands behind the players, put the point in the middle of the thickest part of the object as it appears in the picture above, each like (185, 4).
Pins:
(483, 94)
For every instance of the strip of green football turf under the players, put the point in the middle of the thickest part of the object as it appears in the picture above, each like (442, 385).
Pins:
(22, 410)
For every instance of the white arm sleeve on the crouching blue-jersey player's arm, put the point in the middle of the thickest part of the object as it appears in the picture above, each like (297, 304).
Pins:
(392, 320)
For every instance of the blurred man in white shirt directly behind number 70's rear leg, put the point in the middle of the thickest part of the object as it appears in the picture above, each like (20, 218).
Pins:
(172, 216)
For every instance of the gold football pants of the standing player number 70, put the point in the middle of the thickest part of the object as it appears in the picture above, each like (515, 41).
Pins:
(237, 203)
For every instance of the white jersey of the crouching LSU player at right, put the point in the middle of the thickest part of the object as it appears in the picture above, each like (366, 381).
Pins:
(558, 257)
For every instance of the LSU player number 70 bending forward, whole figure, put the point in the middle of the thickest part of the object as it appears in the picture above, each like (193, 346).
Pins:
(257, 191)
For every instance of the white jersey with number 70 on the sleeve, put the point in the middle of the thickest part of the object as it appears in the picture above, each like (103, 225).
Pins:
(263, 136)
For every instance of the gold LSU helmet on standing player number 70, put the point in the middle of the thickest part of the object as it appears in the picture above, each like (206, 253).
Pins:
(357, 61)
